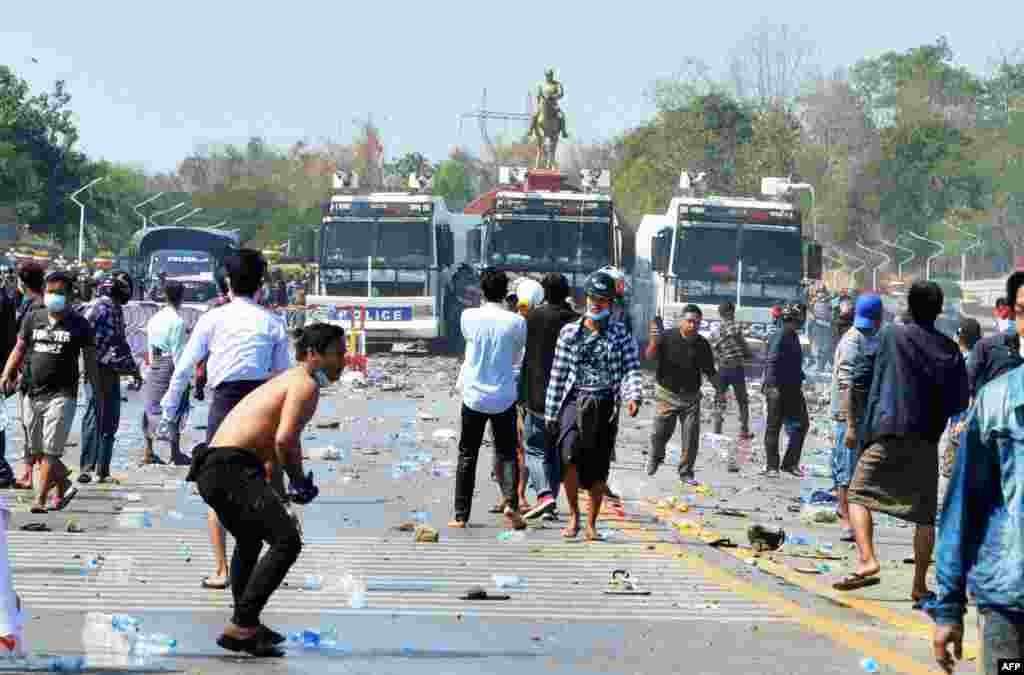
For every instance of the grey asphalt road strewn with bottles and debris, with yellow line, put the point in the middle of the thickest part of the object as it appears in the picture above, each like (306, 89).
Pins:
(708, 612)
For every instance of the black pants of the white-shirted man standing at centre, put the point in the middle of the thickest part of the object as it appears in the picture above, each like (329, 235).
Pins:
(503, 428)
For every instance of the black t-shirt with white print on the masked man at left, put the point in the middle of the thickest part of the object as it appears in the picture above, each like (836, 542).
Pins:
(53, 352)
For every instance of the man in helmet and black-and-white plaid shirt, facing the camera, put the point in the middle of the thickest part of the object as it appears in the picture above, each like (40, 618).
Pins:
(596, 366)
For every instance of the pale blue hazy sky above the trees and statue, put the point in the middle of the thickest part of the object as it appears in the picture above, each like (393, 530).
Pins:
(152, 81)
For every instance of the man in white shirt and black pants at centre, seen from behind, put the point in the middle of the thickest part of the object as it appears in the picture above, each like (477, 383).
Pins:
(495, 341)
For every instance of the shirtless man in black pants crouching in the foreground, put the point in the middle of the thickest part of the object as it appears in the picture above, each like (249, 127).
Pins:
(266, 427)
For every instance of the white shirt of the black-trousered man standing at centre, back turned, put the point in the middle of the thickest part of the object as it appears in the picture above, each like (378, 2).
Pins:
(495, 341)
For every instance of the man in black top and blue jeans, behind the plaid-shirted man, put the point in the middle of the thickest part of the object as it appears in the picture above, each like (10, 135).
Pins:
(543, 325)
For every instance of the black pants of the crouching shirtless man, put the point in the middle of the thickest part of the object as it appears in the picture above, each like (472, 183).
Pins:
(232, 482)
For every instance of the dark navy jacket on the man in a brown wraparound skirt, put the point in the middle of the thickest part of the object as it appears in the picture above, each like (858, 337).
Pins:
(919, 383)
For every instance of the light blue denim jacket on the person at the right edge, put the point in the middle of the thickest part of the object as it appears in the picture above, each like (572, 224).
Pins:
(982, 533)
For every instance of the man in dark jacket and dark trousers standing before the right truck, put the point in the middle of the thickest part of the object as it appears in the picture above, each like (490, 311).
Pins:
(784, 392)
